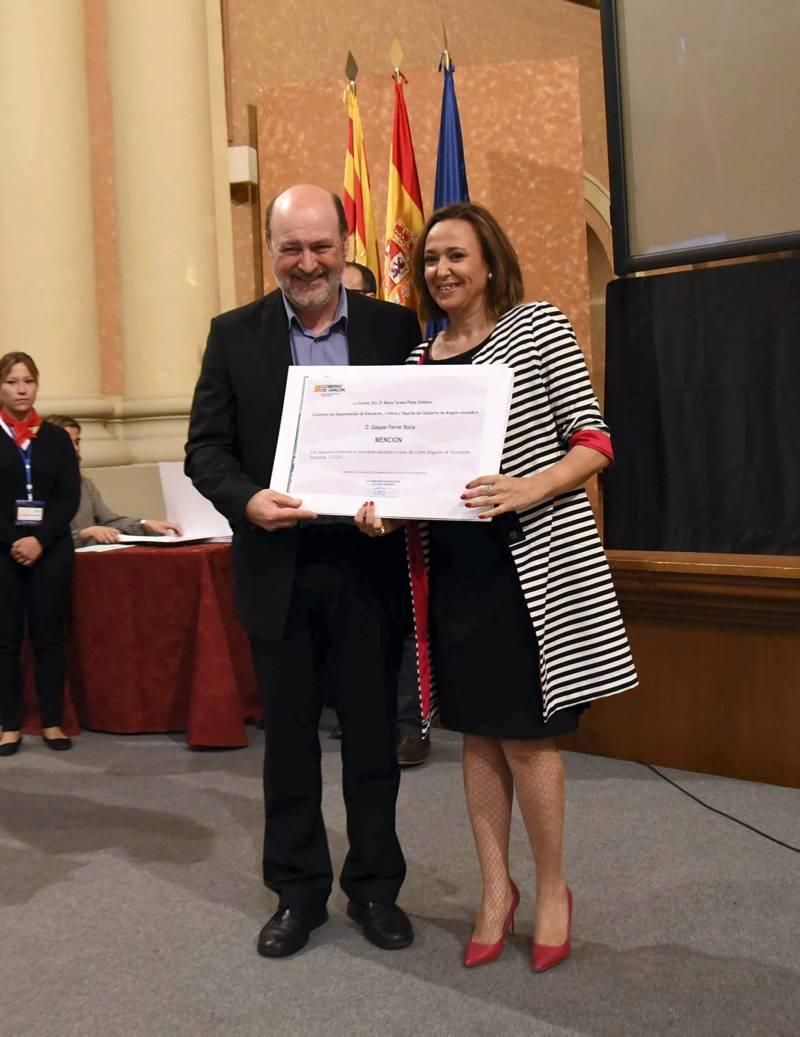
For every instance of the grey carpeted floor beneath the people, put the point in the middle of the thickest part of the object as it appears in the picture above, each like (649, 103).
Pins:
(131, 901)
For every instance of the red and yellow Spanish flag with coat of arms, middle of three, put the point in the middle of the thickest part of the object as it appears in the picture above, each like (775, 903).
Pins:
(404, 206)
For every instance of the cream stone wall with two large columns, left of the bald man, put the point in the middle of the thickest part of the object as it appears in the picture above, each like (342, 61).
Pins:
(117, 243)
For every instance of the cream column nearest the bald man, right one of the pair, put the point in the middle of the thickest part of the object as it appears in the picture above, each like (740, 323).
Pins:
(164, 183)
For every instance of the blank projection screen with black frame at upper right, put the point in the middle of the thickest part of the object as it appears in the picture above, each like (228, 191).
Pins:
(703, 102)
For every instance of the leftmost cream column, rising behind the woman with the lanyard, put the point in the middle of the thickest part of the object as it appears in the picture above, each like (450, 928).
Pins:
(48, 301)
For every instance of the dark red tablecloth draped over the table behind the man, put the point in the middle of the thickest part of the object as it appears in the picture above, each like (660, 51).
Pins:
(154, 646)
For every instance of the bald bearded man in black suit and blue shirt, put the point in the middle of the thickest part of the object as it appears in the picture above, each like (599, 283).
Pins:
(312, 592)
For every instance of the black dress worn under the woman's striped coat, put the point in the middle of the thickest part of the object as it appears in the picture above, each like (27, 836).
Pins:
(485, 652)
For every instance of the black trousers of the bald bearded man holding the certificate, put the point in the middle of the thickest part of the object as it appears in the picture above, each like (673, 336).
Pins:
(341, 619)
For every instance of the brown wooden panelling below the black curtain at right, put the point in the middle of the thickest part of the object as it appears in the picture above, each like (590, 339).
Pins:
(716, 640)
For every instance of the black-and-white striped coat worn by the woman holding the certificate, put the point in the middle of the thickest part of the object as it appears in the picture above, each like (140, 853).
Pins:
(563, 569)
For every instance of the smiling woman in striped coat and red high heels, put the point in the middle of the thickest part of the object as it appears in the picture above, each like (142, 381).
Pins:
(526, 630)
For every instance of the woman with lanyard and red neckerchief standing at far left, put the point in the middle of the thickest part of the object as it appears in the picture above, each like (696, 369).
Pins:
(40, 491)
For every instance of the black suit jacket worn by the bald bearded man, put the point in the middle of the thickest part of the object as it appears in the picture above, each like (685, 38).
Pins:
(234, 434)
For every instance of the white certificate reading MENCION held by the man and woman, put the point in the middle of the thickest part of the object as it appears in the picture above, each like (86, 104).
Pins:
(409, 438)
